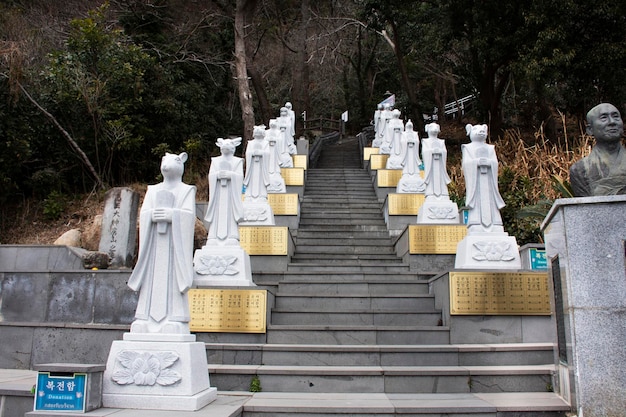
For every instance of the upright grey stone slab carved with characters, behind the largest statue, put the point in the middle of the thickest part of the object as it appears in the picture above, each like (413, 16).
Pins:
(119, 226)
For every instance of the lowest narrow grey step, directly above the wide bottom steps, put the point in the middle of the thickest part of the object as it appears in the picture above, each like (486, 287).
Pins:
(366, 335)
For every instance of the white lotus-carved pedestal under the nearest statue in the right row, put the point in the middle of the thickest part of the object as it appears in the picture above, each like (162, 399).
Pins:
(488, 251)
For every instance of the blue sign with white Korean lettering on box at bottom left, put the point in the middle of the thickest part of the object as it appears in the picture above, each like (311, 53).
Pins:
(60, 393)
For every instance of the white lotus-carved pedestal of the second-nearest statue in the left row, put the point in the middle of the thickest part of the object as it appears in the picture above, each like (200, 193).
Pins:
(215, 265)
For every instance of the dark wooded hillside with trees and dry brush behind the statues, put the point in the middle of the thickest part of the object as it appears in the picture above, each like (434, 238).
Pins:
(92, 94)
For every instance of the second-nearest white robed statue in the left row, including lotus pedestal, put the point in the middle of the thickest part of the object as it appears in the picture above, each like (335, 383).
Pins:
(222, 260)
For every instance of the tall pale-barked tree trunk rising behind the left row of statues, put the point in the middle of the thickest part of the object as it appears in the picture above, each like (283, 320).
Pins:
(241, 70)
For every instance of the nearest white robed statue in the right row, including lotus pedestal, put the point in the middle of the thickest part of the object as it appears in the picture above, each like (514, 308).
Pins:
(487, 246)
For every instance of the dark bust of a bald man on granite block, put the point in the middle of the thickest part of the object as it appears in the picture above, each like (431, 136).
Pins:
(603, 172)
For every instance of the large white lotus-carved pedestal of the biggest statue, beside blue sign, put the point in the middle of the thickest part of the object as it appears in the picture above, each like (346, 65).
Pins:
(157, 372)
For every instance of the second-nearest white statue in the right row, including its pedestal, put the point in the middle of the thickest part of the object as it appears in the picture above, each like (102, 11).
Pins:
(437, 208)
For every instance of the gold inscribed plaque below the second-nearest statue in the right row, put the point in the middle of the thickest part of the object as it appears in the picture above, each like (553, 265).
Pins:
(436, 239)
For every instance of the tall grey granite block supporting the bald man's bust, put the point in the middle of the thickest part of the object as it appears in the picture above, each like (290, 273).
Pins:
(584, 240)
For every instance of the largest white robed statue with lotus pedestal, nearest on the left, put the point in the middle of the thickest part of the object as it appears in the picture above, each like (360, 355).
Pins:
(159, 365)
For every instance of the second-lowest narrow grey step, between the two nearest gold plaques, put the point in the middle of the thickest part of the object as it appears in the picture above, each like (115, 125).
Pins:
(357, 318)
